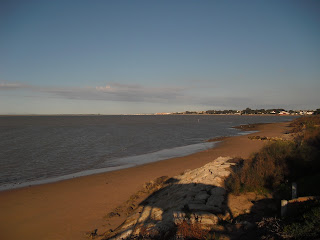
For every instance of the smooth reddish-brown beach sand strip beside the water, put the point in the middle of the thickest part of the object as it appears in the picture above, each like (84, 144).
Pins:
(70, 208)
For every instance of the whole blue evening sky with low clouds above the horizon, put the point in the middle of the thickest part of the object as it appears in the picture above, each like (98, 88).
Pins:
(130, 57)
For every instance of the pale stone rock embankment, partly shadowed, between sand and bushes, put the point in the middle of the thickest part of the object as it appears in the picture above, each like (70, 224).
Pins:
(196, 196)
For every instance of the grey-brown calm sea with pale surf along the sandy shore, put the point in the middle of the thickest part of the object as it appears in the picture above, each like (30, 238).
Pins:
(39, 149)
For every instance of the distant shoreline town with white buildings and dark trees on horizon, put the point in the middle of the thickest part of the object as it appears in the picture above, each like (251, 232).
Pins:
(248, 111)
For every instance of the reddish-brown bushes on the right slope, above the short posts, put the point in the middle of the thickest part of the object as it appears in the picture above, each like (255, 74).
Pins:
(281, 161)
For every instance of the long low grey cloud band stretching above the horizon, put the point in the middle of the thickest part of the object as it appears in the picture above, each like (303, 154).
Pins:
(182, 96)
